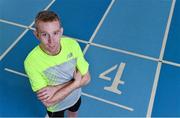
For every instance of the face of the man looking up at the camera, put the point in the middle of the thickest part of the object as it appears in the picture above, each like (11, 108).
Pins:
(49, 34)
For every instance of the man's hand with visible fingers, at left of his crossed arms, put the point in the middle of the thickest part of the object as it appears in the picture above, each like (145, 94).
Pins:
(46, 93)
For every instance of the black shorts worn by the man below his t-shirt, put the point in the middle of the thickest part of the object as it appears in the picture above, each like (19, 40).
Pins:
(74, 108)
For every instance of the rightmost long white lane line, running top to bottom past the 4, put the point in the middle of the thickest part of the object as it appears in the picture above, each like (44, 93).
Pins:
(153, 93)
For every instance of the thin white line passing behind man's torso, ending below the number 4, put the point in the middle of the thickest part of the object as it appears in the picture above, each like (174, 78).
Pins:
(85, 94)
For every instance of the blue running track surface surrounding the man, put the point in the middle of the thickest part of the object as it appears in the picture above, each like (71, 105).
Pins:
(132, 34)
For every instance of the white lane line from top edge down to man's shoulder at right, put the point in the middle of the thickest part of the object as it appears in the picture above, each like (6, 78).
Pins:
(99, 25)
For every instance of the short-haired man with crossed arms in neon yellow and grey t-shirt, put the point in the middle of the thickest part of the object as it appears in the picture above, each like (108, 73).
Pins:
(56, 67)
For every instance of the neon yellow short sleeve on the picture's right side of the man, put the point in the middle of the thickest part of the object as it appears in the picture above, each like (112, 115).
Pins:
(82, 64)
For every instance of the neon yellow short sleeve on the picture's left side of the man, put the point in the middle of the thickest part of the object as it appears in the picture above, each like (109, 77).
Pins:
(36, 79)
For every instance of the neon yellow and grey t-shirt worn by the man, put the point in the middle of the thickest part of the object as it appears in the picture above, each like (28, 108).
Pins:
(43, 69)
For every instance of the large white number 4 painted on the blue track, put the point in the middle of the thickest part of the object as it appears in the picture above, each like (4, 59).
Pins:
(114, 87)
